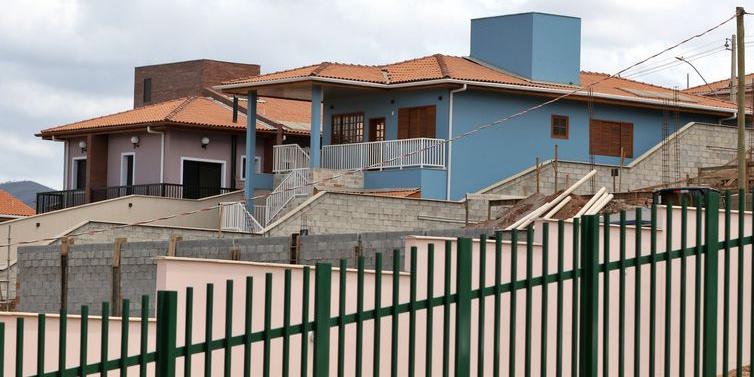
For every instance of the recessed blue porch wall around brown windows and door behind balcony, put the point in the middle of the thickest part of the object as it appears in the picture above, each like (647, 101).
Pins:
(378, 105)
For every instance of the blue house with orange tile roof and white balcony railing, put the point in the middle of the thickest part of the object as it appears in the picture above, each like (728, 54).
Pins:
(451, 125)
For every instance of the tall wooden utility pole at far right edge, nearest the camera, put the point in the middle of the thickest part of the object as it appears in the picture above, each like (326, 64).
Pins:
(741, 115)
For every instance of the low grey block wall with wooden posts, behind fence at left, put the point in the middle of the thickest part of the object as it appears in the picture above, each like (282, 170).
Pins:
(90, 273)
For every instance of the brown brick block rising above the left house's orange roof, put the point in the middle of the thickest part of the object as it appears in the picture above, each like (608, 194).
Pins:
(176, 80)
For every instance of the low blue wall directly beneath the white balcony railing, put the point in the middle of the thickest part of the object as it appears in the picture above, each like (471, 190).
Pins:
(430, 181)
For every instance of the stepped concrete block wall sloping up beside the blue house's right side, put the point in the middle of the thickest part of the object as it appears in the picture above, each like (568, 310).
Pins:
(700, 145)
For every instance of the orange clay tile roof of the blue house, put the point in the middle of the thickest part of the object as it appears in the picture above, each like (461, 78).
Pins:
(437, 67)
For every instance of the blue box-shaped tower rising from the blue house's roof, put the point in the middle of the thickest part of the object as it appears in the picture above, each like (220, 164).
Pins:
(538, 46)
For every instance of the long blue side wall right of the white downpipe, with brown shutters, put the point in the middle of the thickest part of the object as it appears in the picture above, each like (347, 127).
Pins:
(503, 150)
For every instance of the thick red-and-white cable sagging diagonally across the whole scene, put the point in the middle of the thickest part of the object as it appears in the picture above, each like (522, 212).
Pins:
(382, 163)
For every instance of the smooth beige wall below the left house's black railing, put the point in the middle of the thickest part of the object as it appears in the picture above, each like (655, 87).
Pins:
(127, 210)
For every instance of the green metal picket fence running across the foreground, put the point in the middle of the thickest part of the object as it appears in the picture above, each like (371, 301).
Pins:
(591, 317)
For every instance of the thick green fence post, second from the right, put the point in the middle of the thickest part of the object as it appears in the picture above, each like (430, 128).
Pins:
(589, 329)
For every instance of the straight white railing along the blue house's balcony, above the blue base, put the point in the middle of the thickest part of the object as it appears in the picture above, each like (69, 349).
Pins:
(421, 152)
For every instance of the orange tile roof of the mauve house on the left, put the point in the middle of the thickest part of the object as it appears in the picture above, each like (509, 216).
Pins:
(202, 112)
